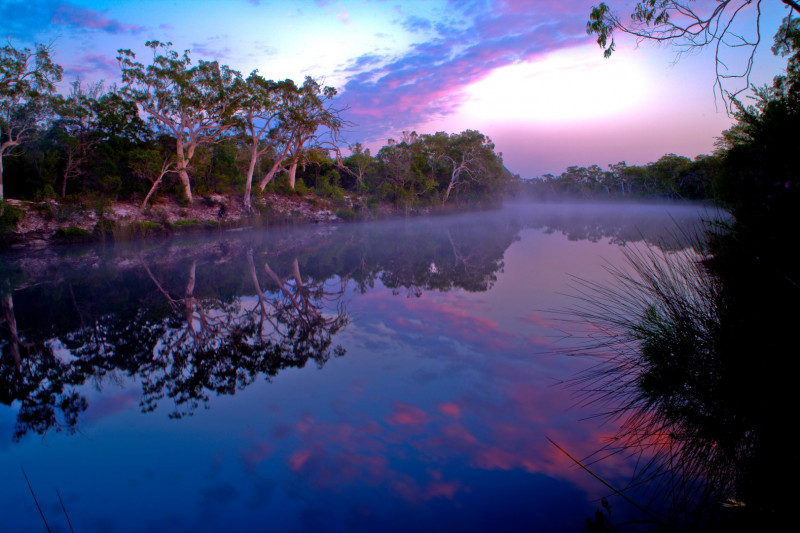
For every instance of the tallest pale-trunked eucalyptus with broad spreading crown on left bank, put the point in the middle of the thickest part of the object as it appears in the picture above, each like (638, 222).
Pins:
(193, 104)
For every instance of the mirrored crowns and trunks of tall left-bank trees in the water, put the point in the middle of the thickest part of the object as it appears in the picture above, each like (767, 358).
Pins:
(180, 345)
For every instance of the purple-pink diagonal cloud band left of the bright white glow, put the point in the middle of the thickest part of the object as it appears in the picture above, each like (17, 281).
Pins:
(385, 96)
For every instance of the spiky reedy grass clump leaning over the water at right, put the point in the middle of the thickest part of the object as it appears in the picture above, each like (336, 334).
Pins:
(667, 375)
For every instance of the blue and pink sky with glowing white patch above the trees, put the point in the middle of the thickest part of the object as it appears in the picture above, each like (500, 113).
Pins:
(525, 73)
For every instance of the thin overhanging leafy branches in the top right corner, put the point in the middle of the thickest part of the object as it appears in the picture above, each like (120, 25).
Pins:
(723, 25)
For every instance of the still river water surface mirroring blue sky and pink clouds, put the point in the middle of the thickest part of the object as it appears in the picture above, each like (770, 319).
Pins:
(377, 377)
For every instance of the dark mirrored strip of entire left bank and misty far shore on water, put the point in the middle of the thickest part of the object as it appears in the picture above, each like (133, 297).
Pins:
(211, 318)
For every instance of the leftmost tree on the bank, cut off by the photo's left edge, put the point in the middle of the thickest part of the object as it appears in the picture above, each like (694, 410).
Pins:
(27, 80)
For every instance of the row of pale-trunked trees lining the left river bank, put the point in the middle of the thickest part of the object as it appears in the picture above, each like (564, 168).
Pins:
(177, 128)
